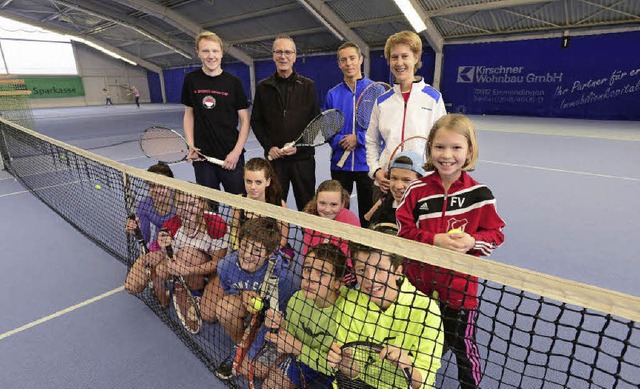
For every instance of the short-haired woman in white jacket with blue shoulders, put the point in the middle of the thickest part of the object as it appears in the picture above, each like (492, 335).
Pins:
(409, 109)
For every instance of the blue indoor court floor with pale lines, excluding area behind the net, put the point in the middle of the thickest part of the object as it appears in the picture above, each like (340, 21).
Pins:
(567, 190)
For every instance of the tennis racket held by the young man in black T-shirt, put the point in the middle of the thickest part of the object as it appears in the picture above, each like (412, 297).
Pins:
(165, 145)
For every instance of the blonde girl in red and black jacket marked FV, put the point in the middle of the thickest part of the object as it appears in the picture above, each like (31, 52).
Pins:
(449, 209)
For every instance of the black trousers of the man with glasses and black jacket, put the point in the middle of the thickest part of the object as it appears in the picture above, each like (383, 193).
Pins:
(301, 174)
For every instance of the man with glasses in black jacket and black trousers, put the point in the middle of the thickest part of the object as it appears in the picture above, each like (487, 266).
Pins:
(284, 104)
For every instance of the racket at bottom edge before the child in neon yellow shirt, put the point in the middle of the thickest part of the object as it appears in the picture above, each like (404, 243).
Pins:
(365, 357)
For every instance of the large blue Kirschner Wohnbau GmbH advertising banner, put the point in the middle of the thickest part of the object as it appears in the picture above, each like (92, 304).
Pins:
(596, 77)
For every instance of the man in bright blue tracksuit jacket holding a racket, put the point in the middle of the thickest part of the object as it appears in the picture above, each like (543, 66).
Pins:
(351, 137)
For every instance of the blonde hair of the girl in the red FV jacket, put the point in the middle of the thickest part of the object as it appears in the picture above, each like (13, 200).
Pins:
(459, 124)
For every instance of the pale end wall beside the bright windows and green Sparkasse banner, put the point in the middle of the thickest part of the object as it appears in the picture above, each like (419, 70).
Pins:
(101, 71)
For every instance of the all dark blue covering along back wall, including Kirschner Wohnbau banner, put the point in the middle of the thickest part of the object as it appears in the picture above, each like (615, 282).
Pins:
(596, 77)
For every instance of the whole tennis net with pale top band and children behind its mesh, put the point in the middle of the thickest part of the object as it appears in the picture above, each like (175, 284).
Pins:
(531, 330)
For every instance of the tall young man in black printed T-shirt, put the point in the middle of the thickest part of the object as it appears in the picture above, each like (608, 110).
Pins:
(214, 101)
